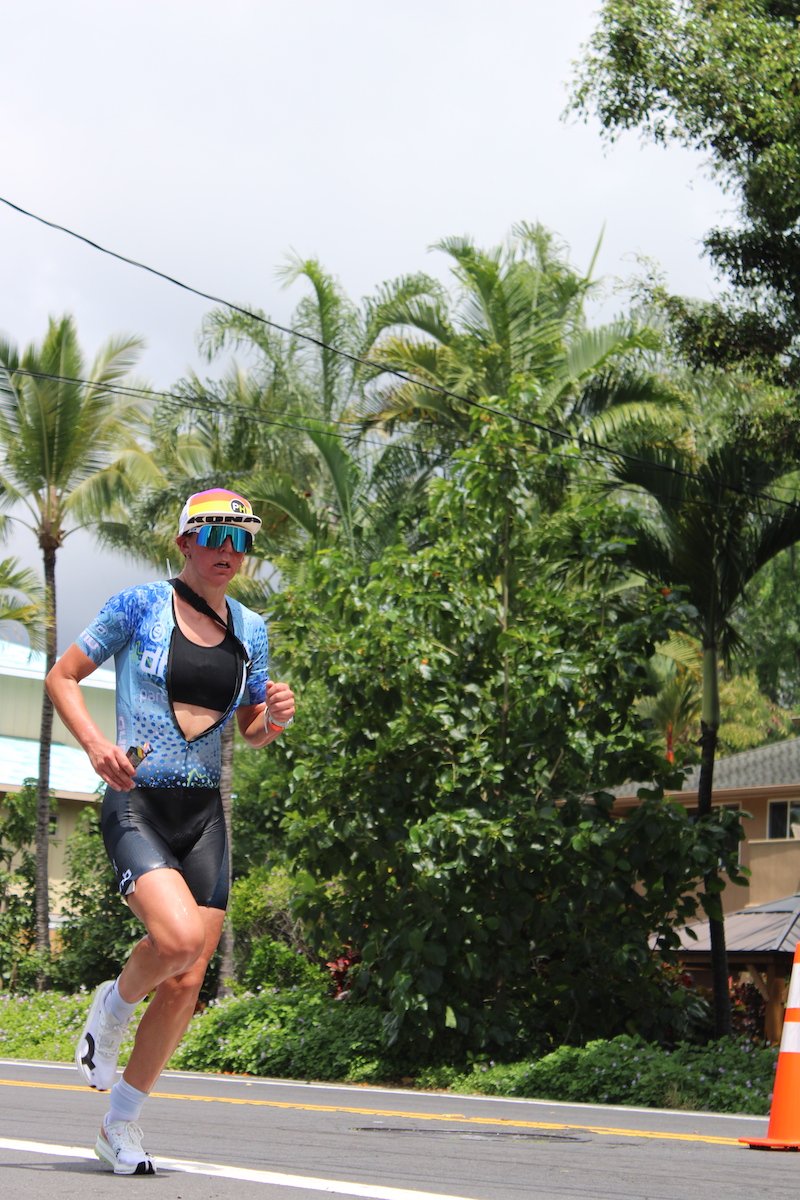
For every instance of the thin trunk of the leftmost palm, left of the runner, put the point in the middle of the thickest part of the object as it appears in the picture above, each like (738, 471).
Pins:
(44, 793)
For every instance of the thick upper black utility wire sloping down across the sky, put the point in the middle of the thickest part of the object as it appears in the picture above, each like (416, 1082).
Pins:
(386, 369)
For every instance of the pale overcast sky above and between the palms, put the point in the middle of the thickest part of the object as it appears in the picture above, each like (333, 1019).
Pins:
(210, 140)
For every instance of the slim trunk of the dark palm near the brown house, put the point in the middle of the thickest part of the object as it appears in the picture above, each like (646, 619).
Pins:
(709, 735)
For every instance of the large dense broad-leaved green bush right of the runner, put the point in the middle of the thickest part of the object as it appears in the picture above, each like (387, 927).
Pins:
(436, 814)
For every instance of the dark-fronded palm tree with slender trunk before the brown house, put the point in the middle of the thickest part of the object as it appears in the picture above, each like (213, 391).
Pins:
(715, 514)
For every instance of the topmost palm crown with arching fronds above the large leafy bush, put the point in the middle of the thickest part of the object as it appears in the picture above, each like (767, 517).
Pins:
(514, 331)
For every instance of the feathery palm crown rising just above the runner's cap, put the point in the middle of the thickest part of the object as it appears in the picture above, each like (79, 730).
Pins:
(316, 482)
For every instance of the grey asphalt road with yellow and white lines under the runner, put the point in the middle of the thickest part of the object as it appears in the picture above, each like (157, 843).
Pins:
(239, 1139)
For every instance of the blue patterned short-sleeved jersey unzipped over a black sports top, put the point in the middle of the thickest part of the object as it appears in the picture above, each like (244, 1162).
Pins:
(137, 627)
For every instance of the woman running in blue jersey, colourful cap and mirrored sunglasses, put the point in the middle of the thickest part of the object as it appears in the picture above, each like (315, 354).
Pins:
(187, 659)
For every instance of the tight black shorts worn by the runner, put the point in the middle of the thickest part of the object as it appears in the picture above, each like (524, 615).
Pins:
(181, 827)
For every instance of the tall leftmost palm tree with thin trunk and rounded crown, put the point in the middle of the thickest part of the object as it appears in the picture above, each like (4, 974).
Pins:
(69, 447)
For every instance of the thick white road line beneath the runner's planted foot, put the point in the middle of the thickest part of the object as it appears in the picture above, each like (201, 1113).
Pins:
(311, 1184)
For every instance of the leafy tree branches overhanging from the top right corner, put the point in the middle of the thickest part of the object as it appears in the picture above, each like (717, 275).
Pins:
(721, 79)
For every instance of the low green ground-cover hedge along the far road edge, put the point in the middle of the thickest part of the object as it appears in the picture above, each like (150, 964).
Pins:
(300, 1034)
